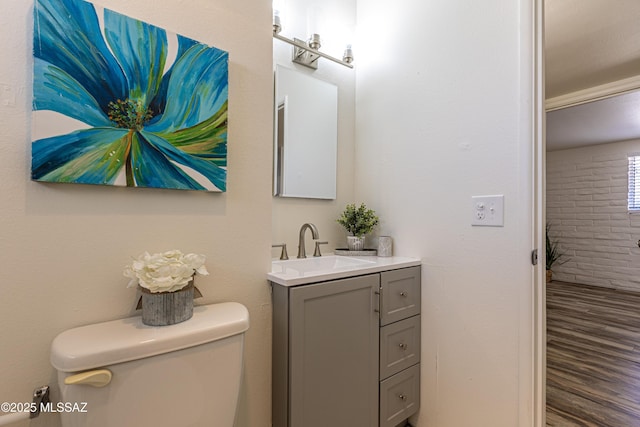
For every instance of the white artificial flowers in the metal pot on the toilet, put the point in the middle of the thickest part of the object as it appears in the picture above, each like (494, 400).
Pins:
(165, 272)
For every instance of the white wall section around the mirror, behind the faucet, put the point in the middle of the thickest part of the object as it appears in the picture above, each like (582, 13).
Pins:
(334, 20)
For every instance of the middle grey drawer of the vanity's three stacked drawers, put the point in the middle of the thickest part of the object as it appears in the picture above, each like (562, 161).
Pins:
(399, 346)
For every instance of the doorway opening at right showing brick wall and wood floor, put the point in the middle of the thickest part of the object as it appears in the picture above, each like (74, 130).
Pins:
(592, 82)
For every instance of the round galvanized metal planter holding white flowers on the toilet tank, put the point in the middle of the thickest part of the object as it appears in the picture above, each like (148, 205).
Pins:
(167, 308)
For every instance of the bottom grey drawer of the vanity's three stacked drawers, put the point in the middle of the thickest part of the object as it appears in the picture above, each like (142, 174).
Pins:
(400, 396)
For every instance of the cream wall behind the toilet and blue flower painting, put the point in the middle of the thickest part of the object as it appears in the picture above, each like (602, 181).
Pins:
(63, 247)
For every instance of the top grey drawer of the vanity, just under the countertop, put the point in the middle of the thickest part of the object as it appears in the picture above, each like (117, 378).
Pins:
(400, 294)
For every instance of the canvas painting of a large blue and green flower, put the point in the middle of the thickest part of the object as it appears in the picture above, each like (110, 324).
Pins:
(117, 101)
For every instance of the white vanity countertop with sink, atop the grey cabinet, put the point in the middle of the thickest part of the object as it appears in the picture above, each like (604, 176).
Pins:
(295, 272)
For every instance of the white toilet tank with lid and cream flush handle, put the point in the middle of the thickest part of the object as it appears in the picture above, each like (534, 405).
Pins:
(123, 373)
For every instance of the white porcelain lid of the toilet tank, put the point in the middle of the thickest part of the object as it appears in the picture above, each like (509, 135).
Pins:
(118, 341)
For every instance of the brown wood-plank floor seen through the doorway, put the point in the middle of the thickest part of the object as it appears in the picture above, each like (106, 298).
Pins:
(593, 356)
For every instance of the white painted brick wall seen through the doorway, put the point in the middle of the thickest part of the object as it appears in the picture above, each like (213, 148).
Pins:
(587, 210)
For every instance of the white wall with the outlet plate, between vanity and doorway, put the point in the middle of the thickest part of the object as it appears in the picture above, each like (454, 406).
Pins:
(444, 113)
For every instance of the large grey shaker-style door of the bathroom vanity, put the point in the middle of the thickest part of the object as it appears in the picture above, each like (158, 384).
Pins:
(333, 359)
